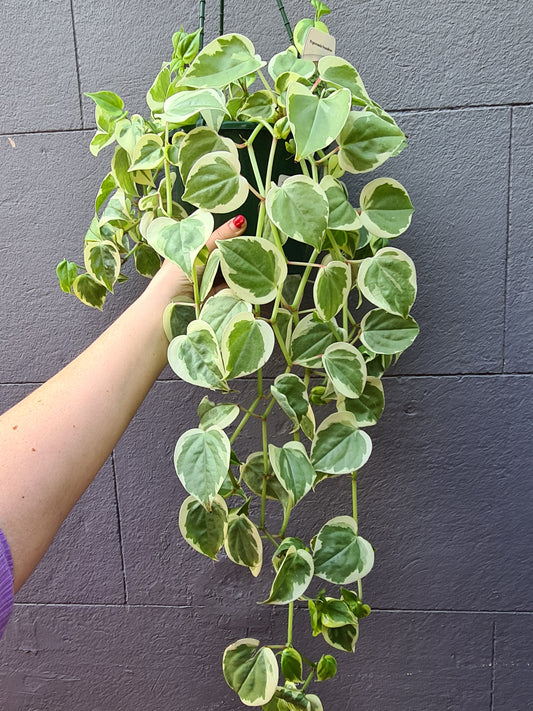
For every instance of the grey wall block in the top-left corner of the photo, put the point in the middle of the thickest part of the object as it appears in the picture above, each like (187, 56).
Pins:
(38, 66)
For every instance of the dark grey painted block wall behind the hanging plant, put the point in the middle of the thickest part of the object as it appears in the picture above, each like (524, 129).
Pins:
(109, 619)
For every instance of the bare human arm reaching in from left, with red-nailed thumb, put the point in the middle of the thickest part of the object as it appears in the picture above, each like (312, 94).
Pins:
(54, 442)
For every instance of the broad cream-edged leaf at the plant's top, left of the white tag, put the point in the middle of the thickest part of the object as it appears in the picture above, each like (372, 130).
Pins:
(223, 61)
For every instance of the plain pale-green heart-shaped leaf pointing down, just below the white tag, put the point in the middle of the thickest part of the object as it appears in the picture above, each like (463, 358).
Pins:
(316, 121)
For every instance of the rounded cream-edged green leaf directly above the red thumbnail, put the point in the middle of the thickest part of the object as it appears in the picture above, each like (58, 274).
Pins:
(215, 183)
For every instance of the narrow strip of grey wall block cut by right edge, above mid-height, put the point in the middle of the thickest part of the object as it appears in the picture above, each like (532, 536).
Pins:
(519, 314)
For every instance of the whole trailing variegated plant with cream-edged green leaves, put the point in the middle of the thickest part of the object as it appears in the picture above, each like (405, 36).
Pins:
(170, 175)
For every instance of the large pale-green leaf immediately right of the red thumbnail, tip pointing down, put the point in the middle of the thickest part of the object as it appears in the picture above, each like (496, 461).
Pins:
(299, 208)
